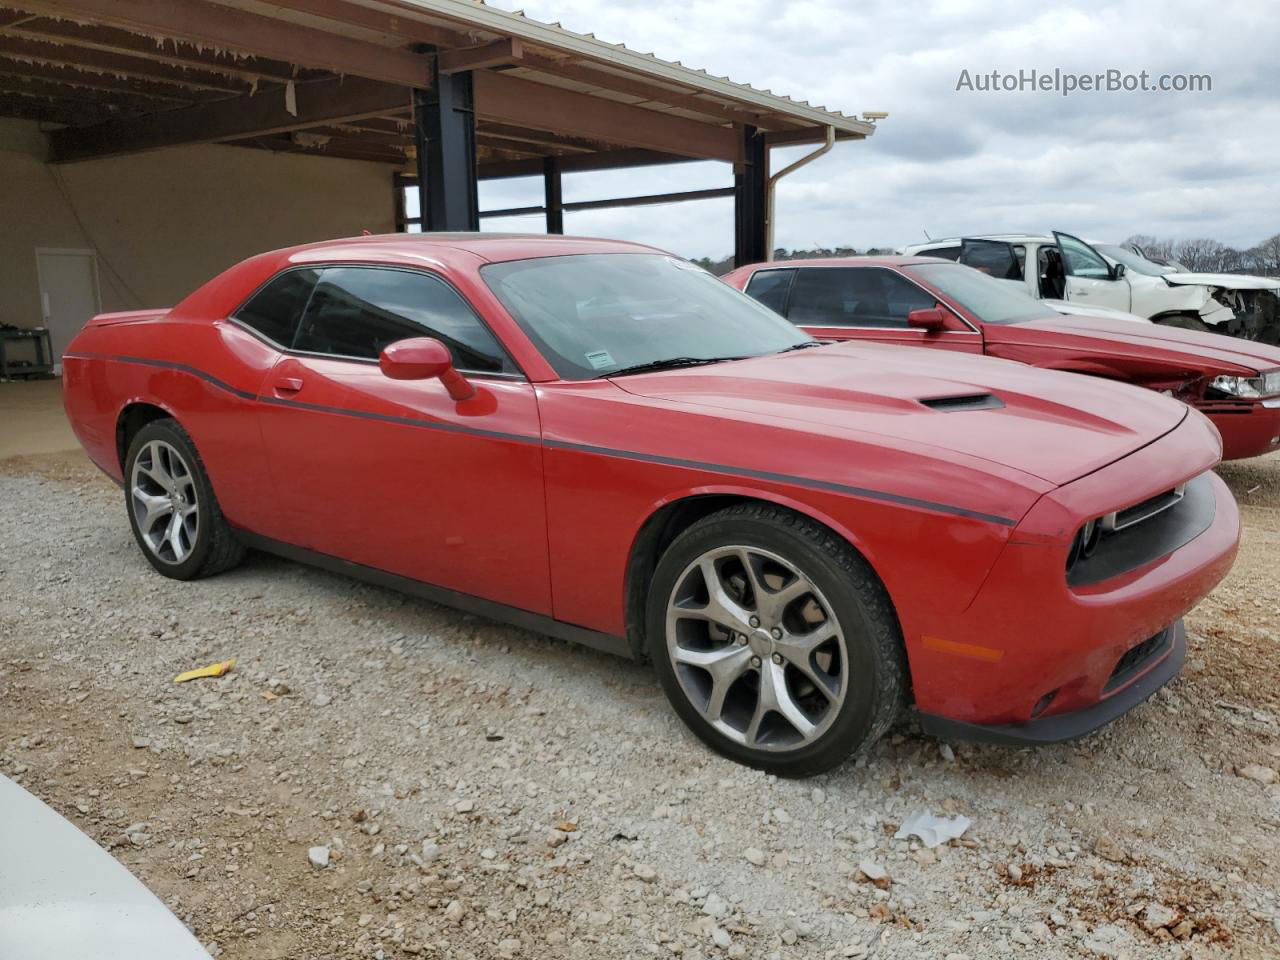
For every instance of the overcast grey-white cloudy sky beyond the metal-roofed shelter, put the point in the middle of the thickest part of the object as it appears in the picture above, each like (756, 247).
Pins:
(1104, 166)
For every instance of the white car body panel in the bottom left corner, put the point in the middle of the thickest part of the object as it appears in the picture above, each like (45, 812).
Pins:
(63, 897)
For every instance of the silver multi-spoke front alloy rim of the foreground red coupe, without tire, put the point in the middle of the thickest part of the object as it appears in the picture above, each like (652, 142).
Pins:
(757, 650)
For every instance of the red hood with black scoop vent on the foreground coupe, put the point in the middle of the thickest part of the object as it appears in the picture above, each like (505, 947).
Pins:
(1055, 427)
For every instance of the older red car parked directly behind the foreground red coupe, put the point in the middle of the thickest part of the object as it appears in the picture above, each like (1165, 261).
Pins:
(932, 303)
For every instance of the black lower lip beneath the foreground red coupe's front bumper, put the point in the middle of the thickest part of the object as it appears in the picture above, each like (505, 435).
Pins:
(1071, 726)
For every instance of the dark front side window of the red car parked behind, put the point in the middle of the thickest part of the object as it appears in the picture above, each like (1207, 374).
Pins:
(858, 296)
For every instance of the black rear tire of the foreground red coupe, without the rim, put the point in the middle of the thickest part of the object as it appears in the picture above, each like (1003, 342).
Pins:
(214, 547)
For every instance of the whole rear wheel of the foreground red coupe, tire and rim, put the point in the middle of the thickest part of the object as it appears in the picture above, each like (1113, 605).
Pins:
(175, 515)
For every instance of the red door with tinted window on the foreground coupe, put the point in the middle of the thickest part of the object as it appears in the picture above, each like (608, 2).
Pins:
(395, 474)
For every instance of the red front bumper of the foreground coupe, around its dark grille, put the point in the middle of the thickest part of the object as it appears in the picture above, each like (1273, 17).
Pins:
(1032, 647)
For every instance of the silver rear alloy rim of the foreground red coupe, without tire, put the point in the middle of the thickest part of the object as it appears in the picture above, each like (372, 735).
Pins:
(166, 504)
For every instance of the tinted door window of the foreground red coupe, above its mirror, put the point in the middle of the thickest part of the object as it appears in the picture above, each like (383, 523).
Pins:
(355, 312)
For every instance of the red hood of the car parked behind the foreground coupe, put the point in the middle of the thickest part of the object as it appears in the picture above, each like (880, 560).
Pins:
(1199, 348)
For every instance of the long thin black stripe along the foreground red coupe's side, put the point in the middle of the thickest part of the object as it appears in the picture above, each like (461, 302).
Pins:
(861, 492)
